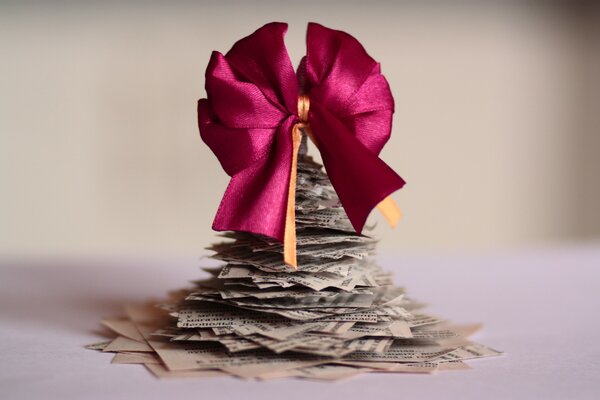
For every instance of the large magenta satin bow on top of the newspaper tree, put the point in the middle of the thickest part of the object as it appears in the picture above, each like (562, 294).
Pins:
(252, 106)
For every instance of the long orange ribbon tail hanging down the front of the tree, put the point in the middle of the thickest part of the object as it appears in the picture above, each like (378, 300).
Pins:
(289, 238)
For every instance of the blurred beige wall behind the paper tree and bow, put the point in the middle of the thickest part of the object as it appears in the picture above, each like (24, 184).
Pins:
(496, 131)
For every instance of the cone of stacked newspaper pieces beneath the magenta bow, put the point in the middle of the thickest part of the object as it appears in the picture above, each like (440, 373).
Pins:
(337, 316)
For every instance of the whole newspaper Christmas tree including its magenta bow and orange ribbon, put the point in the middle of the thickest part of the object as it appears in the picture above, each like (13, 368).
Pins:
(298, 293)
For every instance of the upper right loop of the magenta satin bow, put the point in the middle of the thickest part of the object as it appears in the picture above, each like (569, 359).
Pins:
(344, 79)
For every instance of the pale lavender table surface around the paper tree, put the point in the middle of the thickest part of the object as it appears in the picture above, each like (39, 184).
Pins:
(542, 307)
